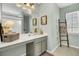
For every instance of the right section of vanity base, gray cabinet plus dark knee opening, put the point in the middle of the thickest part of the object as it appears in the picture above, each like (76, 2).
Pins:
(37, 47)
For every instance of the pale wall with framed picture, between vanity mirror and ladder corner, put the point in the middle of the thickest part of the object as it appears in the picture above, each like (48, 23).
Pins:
(52, 12)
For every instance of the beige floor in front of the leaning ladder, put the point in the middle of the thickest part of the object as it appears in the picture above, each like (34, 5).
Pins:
(65, 51)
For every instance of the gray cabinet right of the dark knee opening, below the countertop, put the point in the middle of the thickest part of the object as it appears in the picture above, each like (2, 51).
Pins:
(40, 46)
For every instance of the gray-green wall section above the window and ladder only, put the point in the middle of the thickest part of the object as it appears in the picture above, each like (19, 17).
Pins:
(71, 8)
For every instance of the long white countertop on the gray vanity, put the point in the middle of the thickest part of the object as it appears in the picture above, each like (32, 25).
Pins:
(22, 38)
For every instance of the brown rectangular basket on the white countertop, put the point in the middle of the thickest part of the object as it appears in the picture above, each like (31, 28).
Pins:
(9, 37)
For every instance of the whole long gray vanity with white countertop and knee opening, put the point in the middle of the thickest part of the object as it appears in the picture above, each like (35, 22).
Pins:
(26, 45)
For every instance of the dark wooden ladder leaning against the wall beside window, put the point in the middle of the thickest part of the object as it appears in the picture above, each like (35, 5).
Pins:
(63, 32)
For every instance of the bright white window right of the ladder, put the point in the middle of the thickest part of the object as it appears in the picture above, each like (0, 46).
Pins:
(73, 22)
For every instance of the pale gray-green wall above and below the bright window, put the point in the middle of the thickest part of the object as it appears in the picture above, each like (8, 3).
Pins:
(73, 38)
